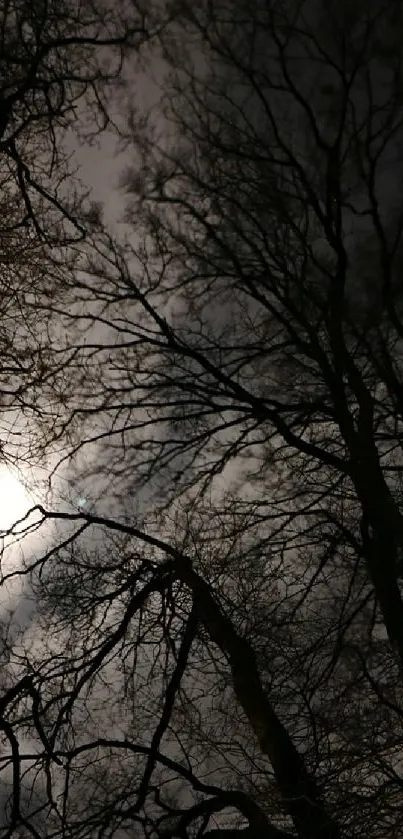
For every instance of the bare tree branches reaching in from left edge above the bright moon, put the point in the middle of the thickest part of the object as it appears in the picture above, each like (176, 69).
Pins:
(59, 68)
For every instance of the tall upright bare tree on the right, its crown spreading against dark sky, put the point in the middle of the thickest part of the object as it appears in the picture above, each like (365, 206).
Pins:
(268, 209)
